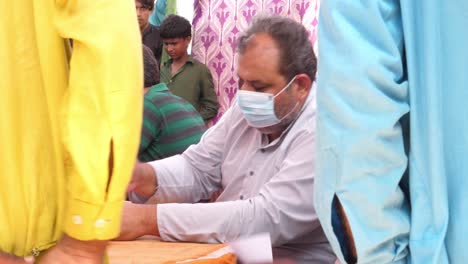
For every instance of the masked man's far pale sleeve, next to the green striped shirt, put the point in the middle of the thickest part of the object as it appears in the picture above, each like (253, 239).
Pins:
(194, 175)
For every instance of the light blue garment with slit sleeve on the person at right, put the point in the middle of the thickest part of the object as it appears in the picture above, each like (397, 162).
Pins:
(392, 131)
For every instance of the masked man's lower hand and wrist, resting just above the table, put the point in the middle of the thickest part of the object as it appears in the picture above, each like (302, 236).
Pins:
(138, 220)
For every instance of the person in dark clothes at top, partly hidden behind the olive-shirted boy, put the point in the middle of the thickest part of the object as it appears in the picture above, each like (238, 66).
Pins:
(149, 33)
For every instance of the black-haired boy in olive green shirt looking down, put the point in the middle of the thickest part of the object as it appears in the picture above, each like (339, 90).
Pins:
(185, 76)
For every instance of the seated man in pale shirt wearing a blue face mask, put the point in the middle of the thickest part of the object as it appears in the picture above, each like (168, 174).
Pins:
(260, 154)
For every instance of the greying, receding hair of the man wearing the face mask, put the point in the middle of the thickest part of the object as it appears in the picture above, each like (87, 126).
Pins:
(296, 51)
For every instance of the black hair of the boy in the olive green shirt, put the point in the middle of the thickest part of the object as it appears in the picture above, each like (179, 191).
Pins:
(175, 26)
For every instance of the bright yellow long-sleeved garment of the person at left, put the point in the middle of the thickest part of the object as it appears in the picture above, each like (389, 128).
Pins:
(64, 121)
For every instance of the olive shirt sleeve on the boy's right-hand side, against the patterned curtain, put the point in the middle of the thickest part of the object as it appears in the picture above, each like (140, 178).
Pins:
(208, 98)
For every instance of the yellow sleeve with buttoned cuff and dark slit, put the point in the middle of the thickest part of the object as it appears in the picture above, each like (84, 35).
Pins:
(101, 112)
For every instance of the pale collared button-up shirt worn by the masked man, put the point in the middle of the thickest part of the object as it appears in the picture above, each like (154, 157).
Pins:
(267, 187)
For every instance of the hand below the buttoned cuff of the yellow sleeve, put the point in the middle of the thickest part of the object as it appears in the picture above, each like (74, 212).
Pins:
(72, 251)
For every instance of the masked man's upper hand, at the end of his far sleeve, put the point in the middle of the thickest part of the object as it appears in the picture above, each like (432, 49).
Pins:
(143, 180)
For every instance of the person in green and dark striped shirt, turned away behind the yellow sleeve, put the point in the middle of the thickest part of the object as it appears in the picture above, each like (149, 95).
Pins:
(170, 124)
